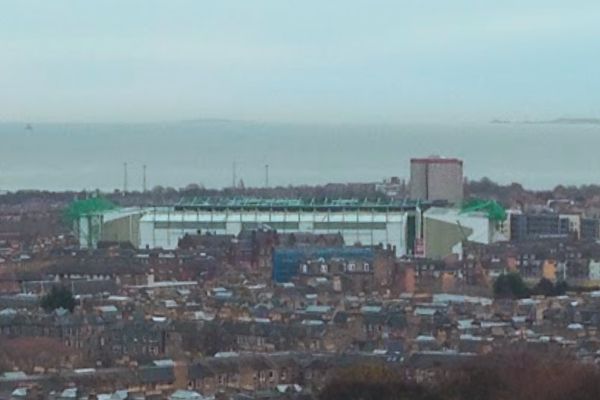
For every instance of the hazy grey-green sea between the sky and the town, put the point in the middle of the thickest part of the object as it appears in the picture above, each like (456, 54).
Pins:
(77, 156)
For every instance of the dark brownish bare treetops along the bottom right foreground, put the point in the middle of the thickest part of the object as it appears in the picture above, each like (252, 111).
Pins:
(510, 375)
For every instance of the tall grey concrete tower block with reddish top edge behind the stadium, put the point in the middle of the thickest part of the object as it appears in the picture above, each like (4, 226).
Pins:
(436, 178)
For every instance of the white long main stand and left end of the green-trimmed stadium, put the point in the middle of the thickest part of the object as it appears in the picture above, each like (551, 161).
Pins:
(394, 223)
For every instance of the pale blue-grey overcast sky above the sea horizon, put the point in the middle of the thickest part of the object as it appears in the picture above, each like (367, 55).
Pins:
(317, 61)
